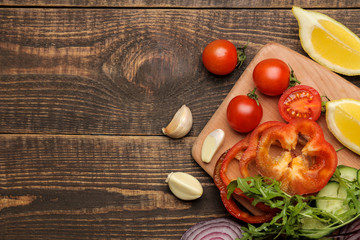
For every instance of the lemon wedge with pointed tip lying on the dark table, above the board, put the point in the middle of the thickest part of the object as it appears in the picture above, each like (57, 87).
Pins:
(328, 42)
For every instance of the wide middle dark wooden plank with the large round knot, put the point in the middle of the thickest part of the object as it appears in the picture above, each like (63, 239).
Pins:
(121, 71)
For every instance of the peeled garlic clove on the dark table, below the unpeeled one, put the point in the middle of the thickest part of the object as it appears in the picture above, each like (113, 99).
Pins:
(184, 186)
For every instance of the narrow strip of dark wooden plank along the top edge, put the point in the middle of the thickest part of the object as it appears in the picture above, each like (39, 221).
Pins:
(184, 3)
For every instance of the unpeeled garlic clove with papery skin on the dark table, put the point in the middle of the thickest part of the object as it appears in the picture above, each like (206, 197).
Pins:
(181, 123)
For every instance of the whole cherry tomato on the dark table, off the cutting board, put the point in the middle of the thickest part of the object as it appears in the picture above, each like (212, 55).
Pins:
(220, 57)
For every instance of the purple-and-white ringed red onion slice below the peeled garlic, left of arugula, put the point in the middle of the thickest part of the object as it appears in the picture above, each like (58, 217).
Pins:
(215, 229)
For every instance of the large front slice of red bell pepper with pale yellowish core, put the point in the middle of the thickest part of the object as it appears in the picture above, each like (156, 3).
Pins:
(302, 172)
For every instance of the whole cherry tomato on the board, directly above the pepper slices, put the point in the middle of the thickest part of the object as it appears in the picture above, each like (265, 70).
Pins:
(244, 113)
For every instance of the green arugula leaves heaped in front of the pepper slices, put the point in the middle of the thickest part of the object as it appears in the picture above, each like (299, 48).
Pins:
(298, 217)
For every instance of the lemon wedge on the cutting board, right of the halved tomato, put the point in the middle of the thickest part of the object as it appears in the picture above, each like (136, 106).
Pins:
(343, 120)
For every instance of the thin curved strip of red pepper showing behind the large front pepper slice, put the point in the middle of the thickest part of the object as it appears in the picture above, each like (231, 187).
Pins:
(249, 154)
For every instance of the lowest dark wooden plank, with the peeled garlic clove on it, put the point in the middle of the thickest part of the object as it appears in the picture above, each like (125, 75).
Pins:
(86, 187)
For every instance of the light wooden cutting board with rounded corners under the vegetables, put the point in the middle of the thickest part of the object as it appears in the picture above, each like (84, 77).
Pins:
(309, 73)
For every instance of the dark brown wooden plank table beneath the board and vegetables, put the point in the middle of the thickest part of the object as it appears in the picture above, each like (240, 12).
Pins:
(85, 88)
